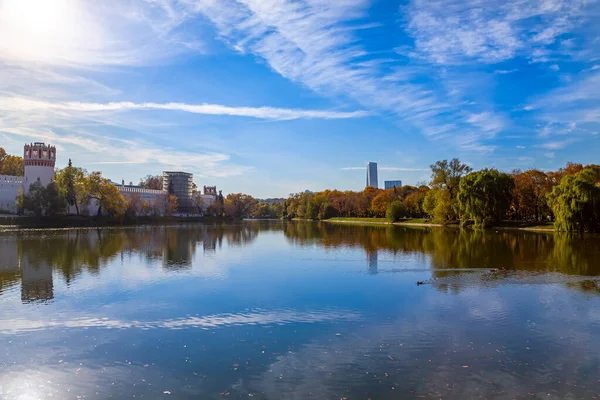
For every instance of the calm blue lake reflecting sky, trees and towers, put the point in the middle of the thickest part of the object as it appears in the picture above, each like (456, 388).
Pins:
(293, 310)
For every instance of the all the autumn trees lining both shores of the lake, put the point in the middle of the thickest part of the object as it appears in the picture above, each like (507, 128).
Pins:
(566, 200)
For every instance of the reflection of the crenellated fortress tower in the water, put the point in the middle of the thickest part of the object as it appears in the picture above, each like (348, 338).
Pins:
(36, 283)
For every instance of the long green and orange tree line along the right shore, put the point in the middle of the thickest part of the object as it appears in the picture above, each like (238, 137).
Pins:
(566, 200)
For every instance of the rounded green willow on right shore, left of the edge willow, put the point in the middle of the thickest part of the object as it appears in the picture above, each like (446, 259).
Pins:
(485, 196)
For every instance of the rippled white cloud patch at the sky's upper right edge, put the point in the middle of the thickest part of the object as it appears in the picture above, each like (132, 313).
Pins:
(460, 31)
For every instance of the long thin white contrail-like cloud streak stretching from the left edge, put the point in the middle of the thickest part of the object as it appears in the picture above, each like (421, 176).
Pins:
(24, 104)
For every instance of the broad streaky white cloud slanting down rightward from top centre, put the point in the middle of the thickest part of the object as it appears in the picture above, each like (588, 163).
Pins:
(313, 42)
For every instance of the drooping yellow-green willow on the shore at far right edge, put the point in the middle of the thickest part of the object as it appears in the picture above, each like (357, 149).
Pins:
(575, 202)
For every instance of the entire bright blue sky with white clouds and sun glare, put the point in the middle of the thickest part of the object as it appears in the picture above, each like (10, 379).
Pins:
(271, 97)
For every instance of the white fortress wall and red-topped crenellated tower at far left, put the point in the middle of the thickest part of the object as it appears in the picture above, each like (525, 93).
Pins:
(39, 160)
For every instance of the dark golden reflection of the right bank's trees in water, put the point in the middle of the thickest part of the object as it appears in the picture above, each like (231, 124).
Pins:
(461, 248)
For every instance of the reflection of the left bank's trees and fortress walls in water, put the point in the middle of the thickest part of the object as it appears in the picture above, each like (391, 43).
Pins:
(71, 252)
